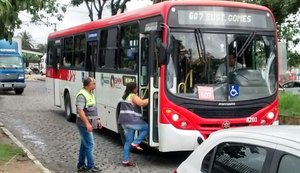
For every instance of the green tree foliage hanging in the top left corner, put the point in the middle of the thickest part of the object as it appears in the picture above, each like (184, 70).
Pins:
(9, 11)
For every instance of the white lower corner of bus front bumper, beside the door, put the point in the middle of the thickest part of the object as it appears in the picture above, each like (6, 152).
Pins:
(173, 139)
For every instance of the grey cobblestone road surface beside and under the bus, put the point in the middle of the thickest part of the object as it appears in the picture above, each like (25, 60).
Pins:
(43, 129)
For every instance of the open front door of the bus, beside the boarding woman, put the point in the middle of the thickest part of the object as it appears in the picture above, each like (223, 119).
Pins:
(148, 80)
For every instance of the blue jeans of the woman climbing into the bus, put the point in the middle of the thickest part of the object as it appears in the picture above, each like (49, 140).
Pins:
(129, 130)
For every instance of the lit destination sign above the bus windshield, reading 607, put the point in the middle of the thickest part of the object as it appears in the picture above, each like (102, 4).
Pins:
(221, 17)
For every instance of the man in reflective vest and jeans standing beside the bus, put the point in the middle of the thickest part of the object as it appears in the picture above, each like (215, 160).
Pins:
(87, 119)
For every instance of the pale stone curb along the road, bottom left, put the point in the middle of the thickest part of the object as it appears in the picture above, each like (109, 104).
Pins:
(29, 155)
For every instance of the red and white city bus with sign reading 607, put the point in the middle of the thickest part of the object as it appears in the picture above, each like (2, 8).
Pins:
(173, 50)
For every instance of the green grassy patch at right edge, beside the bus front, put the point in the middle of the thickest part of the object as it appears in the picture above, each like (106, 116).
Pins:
(289, 104)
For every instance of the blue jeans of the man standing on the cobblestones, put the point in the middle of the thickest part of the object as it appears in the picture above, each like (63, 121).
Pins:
(86, 148)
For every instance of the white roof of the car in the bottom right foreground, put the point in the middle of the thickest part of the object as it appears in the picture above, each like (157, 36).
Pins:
(284, 132)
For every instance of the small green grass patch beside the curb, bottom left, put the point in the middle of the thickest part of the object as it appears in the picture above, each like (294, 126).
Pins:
(7, 152)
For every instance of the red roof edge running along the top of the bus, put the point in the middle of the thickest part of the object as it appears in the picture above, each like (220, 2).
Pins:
(146, 12)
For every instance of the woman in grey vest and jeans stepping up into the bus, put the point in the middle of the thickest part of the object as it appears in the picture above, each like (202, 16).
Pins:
(131, 120)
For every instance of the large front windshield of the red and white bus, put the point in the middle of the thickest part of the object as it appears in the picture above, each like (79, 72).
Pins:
(222, 67)
